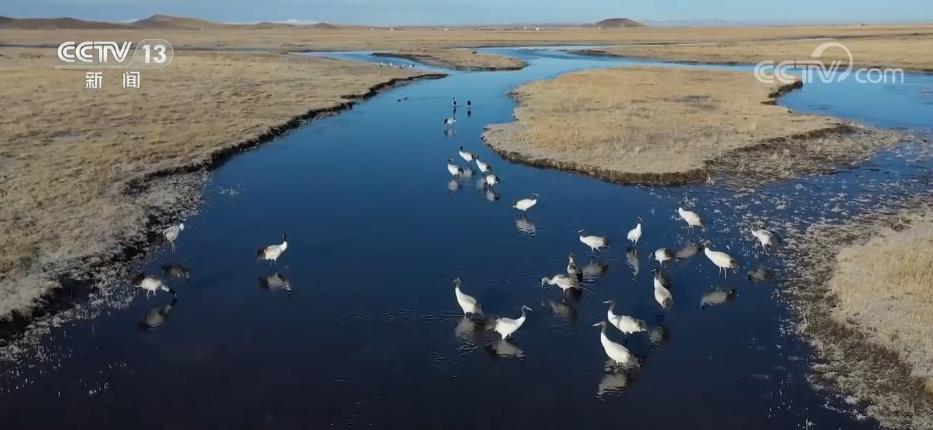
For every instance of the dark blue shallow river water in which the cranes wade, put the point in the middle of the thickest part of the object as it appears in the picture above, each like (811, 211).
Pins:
(369, 336)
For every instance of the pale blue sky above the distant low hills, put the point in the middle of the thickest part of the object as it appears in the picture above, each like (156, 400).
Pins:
(459, 12)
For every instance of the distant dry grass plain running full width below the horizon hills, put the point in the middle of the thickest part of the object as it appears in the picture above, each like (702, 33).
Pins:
(362, 38)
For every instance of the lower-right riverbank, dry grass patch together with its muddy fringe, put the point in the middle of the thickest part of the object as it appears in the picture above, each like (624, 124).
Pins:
(862, 294)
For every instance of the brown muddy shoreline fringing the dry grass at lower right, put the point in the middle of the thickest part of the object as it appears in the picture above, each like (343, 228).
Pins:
(847, 362)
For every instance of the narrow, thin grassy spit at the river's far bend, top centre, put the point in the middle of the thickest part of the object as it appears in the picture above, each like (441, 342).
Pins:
(457, 59)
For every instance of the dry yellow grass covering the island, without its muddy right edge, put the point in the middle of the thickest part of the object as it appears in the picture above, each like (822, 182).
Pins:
(645, 124)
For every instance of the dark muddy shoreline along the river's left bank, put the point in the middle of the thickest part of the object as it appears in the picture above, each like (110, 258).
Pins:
(86, 278)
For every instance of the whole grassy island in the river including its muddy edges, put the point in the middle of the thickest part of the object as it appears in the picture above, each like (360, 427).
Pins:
(673, 126)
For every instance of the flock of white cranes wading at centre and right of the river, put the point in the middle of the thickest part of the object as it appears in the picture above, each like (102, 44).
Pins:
(568, 282)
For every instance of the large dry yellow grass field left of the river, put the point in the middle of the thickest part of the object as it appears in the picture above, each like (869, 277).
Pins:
(68, 153)
